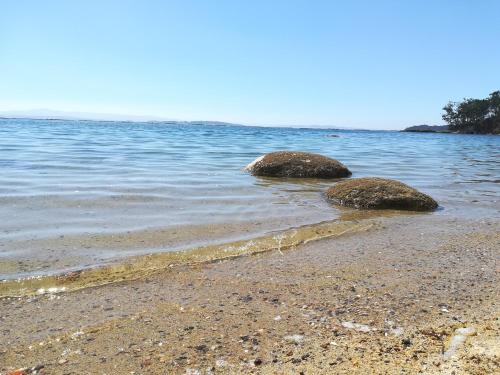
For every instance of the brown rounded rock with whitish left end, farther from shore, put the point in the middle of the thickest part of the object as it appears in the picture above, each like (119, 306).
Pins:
(297, 164)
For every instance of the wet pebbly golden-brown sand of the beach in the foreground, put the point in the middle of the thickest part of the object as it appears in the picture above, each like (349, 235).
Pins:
(409, 295)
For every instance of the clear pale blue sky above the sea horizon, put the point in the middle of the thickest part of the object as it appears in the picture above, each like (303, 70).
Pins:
(361, 64)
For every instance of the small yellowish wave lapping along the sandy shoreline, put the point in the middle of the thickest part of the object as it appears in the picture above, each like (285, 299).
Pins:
(146, 265)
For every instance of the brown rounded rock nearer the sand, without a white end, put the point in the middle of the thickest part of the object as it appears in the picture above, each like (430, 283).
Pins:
(379, 193)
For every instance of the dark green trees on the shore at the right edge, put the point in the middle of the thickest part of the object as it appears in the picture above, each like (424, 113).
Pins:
(478, 116)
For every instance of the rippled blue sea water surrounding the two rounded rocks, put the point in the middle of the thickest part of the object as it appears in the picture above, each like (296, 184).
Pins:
(80, 193)
